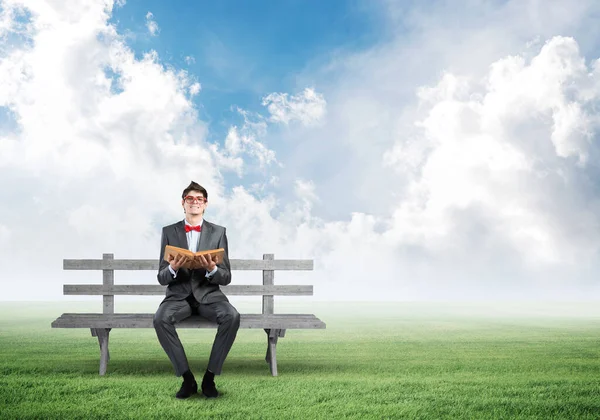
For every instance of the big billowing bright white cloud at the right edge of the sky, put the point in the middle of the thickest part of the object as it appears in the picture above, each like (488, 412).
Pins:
(498, 154)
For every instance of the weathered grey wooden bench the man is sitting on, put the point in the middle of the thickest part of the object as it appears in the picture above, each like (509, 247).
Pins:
(274, 325)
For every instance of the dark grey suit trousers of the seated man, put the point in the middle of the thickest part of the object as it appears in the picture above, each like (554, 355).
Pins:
(171, 312)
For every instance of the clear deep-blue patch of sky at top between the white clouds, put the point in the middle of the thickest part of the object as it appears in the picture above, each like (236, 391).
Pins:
(245, 50)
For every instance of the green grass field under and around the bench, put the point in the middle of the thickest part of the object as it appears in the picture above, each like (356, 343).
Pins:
(401, 360)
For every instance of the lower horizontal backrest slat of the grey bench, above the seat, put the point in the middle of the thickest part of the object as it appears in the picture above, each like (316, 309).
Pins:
(151, 289)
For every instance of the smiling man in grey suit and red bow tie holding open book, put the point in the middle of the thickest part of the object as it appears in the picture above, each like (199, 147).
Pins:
(195, 291)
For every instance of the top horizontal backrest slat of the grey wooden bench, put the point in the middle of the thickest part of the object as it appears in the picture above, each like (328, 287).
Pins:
(236, 264)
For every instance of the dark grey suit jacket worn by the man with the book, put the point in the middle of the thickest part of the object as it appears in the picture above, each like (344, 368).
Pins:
(194, 281)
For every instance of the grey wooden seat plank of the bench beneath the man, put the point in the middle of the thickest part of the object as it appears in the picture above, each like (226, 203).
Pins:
(138, 320)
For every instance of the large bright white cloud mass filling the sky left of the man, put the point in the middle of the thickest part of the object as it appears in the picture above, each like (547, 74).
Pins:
(100, 139)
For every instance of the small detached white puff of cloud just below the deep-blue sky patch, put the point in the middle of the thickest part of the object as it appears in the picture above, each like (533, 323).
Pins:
(308, 107)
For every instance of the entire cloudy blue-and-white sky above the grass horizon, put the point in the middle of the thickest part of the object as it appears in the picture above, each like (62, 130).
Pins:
(443, 150)
